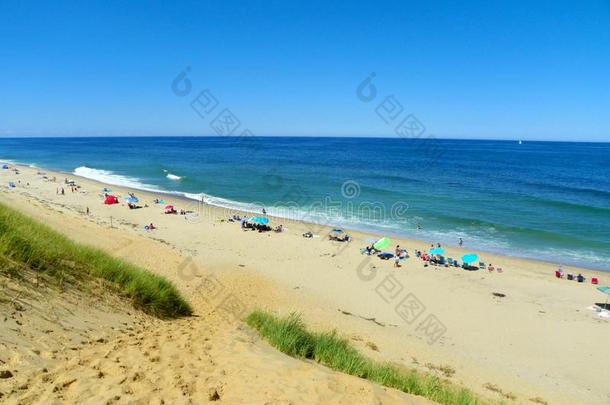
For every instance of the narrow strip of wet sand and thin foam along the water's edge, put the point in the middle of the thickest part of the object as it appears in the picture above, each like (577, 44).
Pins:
(364, 234)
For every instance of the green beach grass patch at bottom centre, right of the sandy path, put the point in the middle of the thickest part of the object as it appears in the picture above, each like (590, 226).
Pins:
(290, 336)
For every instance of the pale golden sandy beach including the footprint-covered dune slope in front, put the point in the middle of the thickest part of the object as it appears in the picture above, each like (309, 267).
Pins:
(518, 336)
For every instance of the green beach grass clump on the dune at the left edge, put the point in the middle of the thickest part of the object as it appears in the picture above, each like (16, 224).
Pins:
(27, 243)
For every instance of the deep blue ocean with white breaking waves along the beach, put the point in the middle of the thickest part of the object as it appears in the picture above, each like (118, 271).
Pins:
(544, 200)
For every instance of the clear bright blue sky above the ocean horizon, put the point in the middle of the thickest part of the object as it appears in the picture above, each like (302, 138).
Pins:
(480, 69)
